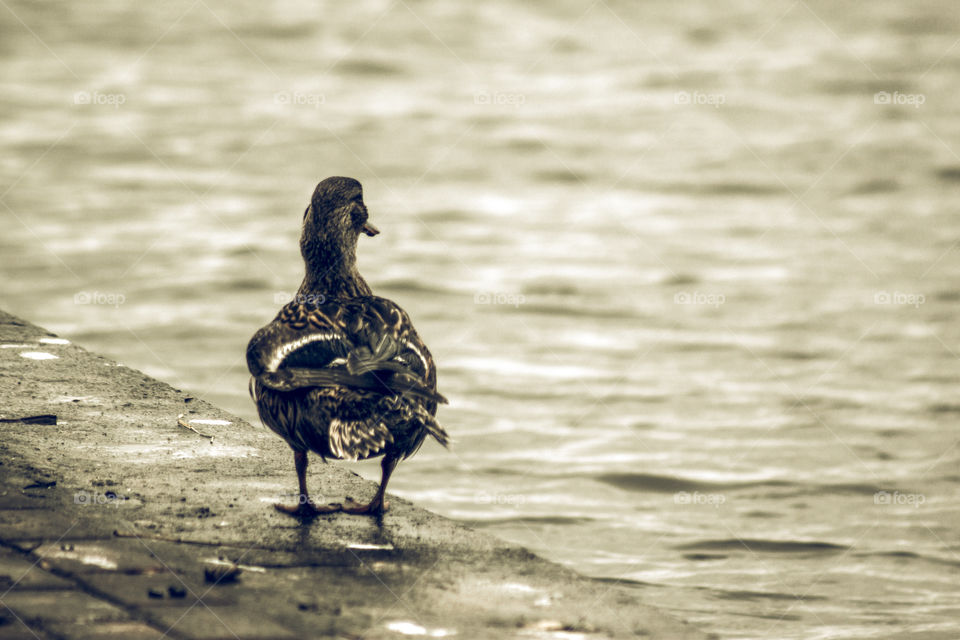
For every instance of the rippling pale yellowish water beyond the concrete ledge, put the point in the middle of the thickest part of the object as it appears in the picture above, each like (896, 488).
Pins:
(689, 276)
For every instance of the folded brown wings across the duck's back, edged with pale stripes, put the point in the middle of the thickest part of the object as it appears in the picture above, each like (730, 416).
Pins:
(367, 343)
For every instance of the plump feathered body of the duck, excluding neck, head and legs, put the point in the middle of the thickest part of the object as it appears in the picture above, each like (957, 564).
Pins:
(347, 379)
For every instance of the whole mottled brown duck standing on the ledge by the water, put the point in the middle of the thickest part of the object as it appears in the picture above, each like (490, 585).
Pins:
(339, 371)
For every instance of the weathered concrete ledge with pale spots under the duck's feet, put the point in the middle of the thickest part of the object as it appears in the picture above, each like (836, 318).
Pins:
(116, 522)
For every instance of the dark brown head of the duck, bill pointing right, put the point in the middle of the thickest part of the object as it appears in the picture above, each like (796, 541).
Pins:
(333, 221)
